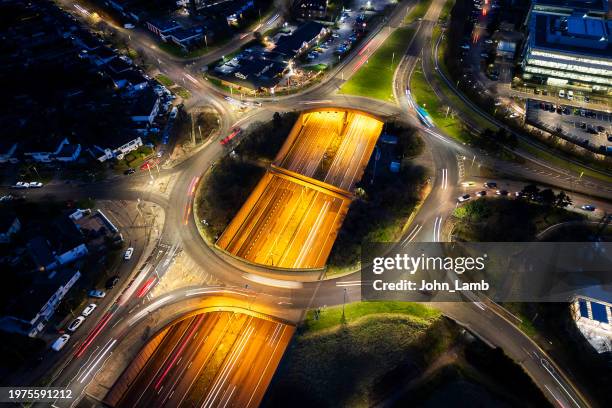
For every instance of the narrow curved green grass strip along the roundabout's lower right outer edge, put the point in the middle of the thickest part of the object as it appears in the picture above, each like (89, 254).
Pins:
(332, 316)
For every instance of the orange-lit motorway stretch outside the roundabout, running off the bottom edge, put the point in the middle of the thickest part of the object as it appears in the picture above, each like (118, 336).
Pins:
(218, 358)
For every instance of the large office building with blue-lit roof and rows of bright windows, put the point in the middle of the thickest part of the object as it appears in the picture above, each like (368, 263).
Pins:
(568, 44)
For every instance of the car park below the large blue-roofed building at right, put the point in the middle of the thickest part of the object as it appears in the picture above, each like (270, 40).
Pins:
(588, 128)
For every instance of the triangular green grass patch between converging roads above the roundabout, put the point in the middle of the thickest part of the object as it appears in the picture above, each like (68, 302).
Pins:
(375, 77)
